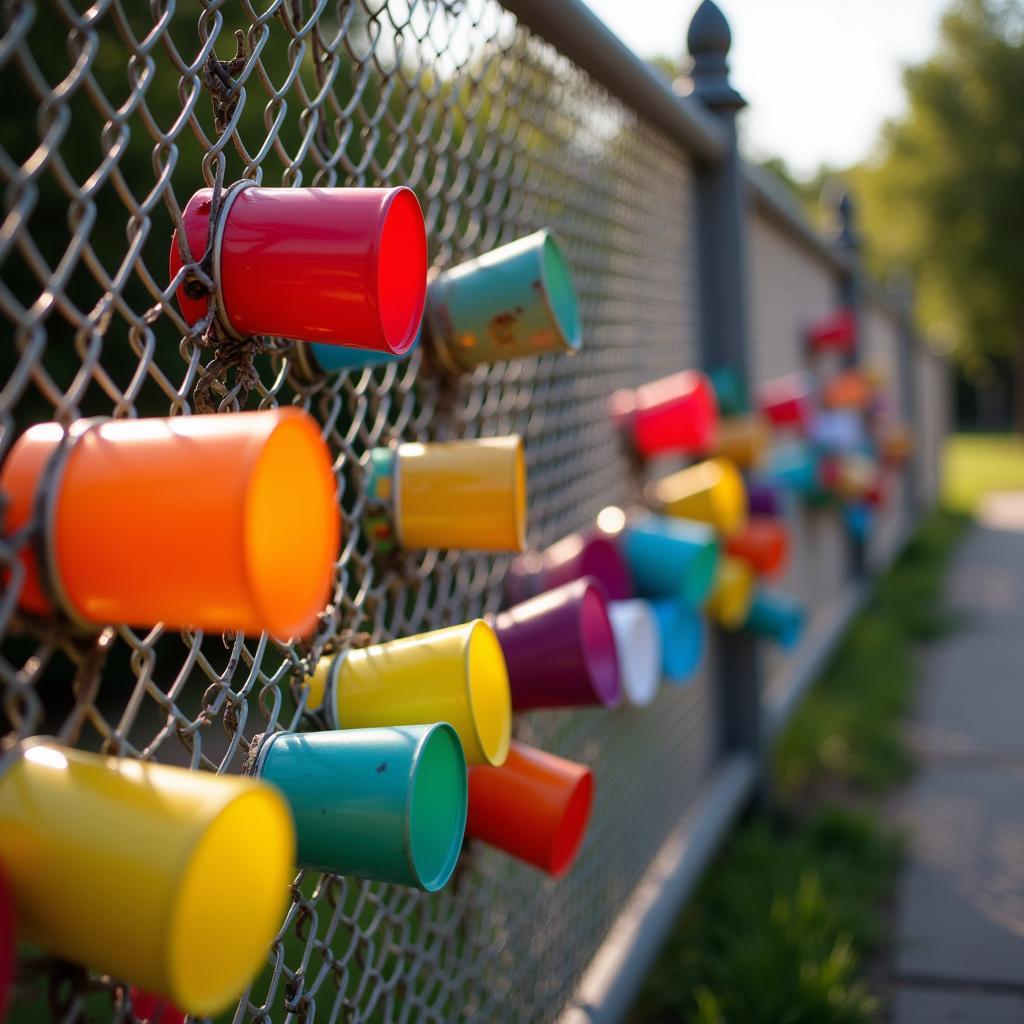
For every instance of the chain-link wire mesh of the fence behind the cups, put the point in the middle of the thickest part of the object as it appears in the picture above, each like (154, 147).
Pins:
(503, 119)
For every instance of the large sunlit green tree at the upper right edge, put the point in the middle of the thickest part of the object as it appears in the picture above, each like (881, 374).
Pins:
(946, 196)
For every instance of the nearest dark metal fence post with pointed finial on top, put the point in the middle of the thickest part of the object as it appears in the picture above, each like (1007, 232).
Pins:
(722, 212)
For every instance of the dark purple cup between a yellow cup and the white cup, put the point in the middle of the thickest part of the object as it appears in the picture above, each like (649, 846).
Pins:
(561, 650)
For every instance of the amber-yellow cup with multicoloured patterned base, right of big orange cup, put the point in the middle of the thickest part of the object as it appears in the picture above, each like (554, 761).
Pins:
(466, 495)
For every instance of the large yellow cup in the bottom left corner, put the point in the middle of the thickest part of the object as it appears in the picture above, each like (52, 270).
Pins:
(120, 866)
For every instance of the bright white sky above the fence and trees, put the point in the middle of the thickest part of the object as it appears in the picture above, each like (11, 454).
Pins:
(821, 76)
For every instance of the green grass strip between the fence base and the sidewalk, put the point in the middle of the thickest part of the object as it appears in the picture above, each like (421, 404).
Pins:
(782, 927)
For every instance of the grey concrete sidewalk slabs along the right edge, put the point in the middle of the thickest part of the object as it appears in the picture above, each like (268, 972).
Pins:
(960, 955)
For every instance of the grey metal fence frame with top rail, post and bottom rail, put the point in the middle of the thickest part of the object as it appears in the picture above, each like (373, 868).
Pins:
(756, 696)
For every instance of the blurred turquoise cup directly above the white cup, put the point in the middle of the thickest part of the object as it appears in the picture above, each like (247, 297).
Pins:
(672, 558)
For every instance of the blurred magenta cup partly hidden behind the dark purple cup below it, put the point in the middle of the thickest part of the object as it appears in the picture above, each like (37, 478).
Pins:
(575, 558)
